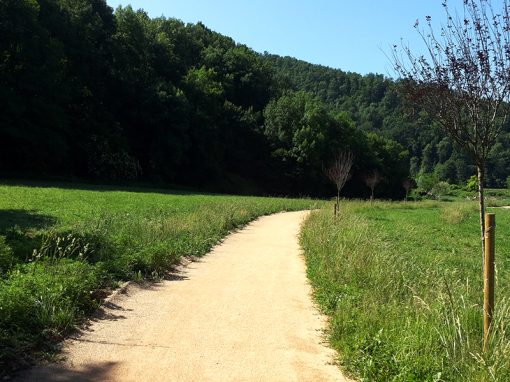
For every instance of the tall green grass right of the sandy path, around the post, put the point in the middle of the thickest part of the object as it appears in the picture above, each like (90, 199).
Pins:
(402, 283)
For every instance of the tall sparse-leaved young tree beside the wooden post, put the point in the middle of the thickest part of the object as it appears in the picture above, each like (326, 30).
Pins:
(464, 82)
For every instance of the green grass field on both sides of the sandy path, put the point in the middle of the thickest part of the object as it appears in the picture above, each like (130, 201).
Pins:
(401, 281)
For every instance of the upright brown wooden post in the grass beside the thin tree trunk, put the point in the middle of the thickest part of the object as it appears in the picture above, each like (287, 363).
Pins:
(488, 298)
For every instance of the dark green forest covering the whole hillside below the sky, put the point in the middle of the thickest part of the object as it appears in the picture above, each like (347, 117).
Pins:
(92, 93)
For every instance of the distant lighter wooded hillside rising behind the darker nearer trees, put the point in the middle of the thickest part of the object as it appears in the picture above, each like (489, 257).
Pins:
(375, 104)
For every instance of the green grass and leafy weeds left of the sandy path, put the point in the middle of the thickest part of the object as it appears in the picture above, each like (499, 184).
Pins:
(60, 246)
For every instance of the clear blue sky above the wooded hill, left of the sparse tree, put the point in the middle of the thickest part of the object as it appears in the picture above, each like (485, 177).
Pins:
(354, 36)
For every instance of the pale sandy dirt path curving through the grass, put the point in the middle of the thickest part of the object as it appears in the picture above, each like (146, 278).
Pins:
(242, 313)
